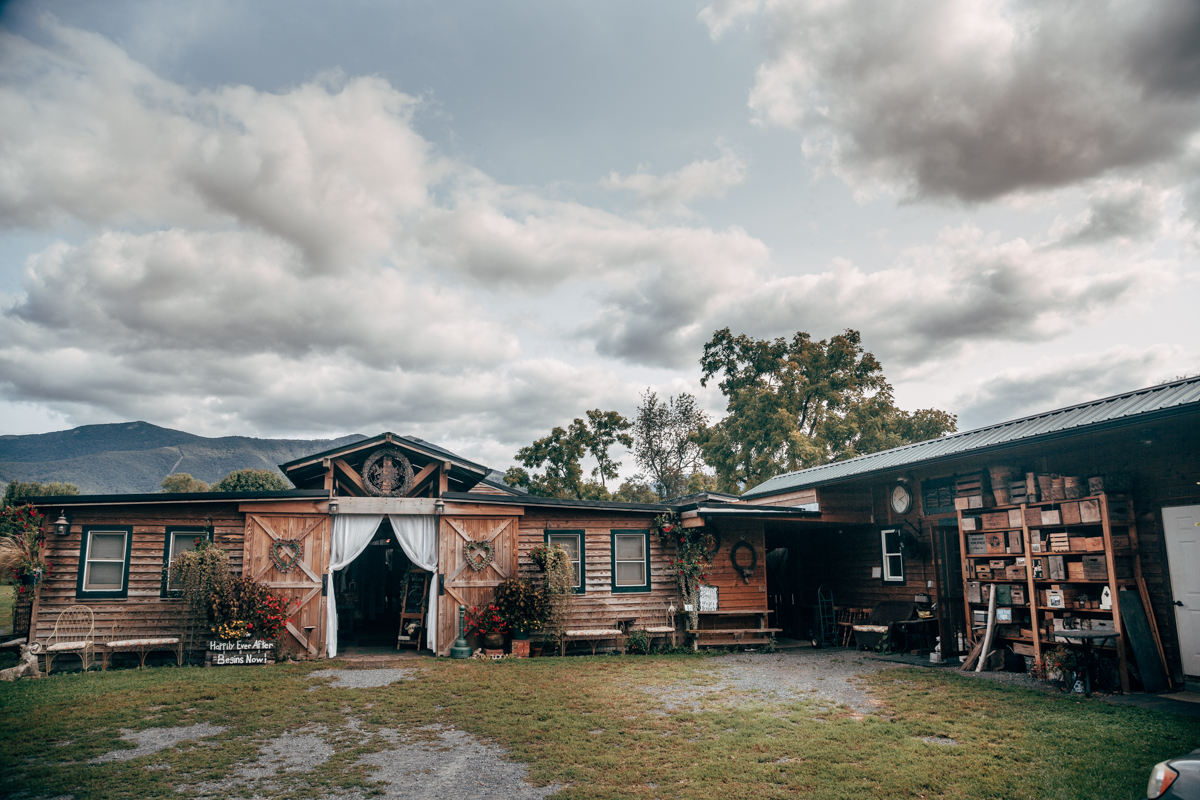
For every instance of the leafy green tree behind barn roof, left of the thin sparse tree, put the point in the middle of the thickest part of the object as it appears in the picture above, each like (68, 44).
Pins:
(559, 456)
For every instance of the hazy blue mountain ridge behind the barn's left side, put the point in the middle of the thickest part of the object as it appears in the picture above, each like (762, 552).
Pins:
(134, 458)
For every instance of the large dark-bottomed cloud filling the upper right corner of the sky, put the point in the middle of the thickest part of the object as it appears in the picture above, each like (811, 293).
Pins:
(975, 100)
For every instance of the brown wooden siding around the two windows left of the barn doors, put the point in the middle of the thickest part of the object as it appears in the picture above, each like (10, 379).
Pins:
(149, 524)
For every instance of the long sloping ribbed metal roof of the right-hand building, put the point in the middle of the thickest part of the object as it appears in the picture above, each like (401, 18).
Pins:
(1132, 408)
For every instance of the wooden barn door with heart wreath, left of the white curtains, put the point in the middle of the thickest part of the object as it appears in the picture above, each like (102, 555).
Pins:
(303, 580)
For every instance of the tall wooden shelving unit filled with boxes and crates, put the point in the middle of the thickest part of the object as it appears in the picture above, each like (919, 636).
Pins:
(1109, 542)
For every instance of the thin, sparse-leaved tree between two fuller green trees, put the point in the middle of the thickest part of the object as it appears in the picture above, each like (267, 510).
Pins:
(665, 442)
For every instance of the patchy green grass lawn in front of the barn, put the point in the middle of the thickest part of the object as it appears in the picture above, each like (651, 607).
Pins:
(585, 725)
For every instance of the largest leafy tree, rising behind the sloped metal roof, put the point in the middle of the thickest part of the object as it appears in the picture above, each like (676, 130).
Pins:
(801, 404)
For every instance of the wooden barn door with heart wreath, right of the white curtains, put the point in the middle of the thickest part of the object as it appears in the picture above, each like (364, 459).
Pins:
(465, 586)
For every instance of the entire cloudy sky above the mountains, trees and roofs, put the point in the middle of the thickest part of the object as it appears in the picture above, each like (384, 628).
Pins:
(475, 221)
